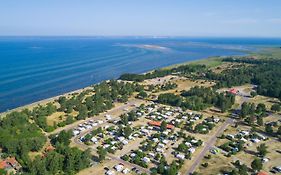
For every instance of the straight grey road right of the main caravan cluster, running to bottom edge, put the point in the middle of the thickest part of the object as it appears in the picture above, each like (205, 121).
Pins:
(210, 143)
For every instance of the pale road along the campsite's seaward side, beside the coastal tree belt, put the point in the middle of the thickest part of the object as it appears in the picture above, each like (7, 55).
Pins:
(75, 124)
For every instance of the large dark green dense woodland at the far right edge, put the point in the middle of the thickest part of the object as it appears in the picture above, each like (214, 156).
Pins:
(265, 73)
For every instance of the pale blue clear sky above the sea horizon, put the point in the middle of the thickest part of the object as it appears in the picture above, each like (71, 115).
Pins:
(215, 18)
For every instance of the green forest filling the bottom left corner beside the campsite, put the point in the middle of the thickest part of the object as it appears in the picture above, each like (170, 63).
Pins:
(19, 137)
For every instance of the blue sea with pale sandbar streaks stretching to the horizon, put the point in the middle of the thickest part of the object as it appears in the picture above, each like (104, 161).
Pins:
(36, 68)
